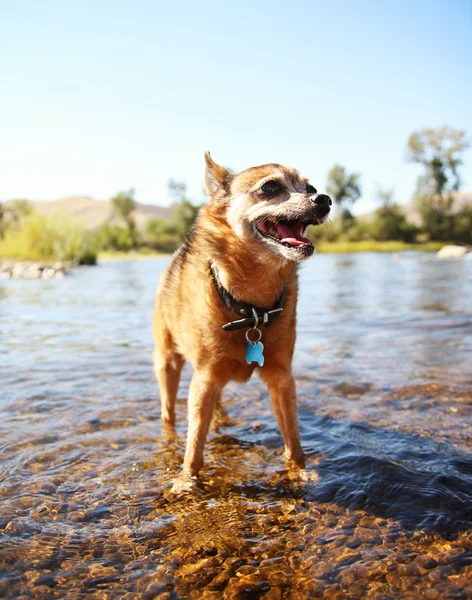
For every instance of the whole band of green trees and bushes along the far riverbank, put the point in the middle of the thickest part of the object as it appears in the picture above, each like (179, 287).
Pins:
(26, 235)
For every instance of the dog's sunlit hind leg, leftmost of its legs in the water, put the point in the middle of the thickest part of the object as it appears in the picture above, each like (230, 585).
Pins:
(168, 365)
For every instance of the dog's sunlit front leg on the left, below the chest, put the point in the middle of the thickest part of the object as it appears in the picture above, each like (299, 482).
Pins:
(202, 398)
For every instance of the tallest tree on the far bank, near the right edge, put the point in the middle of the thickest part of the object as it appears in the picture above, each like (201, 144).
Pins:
(439, 151)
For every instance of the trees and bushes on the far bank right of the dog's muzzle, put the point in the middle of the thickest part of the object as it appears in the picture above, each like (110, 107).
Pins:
(439, 152)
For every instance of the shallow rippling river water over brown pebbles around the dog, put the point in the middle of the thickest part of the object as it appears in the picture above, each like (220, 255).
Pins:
(384, 374)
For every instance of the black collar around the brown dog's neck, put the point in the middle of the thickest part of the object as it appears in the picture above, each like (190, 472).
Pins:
(254, 316)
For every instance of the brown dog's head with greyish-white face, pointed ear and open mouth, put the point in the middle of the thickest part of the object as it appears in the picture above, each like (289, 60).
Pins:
(270, 205)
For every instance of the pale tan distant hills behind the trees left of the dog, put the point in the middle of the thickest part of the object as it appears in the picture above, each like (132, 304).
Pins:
(94, 213)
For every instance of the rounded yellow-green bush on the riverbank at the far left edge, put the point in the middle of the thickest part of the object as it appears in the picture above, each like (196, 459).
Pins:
(48, 237)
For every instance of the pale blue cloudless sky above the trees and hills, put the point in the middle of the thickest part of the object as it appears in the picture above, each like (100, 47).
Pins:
(101, 96)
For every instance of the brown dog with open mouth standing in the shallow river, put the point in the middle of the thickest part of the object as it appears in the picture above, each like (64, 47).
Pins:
(241, 255)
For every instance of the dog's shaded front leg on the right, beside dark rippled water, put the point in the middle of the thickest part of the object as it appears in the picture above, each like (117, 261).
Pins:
(283, 396)
